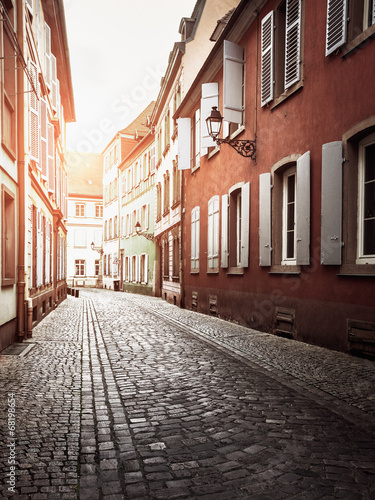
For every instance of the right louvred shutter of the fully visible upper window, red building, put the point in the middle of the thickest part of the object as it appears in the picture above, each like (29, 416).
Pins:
(292, 42)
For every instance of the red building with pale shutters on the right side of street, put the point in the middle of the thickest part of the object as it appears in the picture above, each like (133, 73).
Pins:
(285, 242)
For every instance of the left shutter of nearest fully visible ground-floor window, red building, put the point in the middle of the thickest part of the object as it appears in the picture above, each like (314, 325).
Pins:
(265, 250)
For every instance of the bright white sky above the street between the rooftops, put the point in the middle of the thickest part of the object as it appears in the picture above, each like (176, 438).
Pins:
(118, 53)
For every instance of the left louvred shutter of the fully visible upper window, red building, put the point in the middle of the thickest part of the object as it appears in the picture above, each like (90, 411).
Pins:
(267, 49)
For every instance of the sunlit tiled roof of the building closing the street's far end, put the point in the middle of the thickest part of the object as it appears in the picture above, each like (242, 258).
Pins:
(85, 174)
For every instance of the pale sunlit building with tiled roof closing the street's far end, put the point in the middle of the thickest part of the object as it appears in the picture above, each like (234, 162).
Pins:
(85, 219)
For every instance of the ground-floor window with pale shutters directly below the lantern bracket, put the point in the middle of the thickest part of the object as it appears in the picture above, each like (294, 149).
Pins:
(235, 228)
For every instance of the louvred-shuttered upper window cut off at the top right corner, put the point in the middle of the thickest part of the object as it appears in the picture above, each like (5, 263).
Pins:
(347, 20)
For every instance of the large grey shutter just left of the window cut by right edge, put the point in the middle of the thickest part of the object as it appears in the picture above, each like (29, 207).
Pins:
(331, 217)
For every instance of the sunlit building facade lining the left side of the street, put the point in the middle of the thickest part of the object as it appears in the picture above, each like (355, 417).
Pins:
(37, 102)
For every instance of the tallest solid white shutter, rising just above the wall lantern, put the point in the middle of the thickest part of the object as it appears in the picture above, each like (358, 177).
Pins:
(233, 67)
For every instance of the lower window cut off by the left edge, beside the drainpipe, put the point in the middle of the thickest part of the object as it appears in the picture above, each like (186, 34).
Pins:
(8, 236)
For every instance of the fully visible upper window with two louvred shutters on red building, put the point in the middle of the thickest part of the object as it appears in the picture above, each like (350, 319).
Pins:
(281, 50)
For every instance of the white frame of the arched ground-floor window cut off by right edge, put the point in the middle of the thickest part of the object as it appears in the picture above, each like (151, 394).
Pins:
(362, 259)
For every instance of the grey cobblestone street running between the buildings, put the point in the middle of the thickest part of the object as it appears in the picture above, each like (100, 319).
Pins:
(125, 397)
